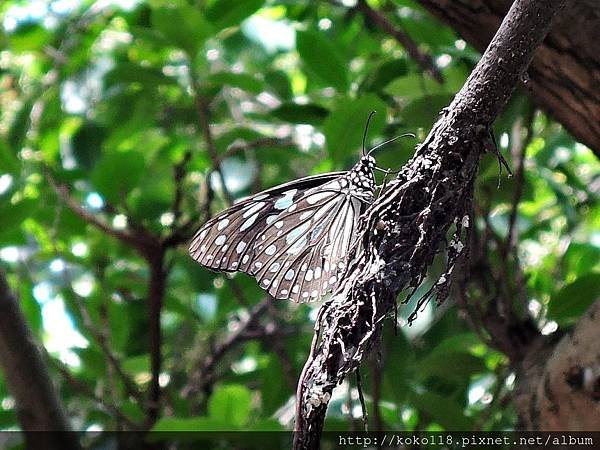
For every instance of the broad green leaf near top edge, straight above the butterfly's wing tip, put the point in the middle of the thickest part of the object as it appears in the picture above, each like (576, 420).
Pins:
(183, 26)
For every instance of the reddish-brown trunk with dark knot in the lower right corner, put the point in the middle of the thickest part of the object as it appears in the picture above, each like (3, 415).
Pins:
(559, 383)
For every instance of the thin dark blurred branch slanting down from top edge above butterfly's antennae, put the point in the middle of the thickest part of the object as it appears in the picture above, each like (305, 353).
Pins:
(423, 60)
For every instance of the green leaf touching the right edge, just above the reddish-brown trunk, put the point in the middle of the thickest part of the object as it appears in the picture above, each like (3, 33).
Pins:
(572, 300)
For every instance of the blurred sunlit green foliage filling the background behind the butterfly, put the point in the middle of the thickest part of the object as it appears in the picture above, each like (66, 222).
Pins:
(102, 95)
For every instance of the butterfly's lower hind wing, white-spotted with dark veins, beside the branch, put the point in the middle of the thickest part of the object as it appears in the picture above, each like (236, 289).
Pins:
(298, 256)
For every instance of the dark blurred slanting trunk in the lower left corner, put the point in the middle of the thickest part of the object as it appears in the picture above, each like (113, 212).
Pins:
(36, 401)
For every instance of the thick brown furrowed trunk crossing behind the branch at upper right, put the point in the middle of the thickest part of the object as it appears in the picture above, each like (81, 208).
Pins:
(564, 76)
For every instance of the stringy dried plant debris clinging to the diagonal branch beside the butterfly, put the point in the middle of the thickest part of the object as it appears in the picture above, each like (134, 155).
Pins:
(428, 201)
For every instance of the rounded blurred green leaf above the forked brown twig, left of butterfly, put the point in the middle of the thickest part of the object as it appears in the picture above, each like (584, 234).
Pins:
(117, 173)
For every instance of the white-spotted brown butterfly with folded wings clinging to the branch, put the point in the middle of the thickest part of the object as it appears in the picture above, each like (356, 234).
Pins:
(293, 238)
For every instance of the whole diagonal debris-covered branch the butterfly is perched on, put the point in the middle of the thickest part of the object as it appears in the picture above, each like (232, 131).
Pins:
(407, 226)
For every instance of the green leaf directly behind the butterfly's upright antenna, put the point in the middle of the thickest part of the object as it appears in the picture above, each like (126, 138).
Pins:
(345, 124)
